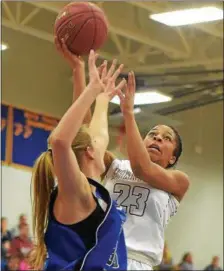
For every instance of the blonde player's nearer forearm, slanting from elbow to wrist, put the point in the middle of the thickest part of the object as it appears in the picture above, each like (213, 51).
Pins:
(75, 115)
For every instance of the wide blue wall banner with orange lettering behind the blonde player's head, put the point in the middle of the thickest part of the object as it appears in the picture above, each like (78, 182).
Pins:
(30, 134)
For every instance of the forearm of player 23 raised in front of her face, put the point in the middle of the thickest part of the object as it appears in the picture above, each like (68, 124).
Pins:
(137, 153)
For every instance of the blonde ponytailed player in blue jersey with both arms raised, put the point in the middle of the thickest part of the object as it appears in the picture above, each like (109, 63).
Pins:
(76, 224)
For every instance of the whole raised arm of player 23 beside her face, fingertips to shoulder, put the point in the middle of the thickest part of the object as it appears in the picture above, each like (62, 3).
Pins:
(171, 181)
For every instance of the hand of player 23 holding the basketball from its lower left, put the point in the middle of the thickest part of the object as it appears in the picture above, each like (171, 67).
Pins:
(74, 61)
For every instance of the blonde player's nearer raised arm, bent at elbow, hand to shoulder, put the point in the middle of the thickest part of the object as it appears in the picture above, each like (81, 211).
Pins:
(70, 179)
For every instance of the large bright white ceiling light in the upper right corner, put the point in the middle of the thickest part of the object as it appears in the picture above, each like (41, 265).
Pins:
(189, 16)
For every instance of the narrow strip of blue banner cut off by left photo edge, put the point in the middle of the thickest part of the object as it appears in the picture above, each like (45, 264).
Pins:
(4, 118)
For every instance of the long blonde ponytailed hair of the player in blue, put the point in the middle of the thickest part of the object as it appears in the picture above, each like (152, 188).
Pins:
(43, 183)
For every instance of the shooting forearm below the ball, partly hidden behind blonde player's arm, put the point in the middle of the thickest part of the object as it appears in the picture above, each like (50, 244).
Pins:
(79, 84)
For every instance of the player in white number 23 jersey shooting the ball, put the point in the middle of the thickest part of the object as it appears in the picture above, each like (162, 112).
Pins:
(142, 185)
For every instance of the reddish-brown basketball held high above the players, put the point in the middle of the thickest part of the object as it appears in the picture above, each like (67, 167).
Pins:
(83, 26)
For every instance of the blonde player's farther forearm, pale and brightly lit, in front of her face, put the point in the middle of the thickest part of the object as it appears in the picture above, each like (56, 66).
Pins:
(99, 123)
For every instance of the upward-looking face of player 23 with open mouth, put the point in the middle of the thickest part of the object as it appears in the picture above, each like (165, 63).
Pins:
(161, 143)
